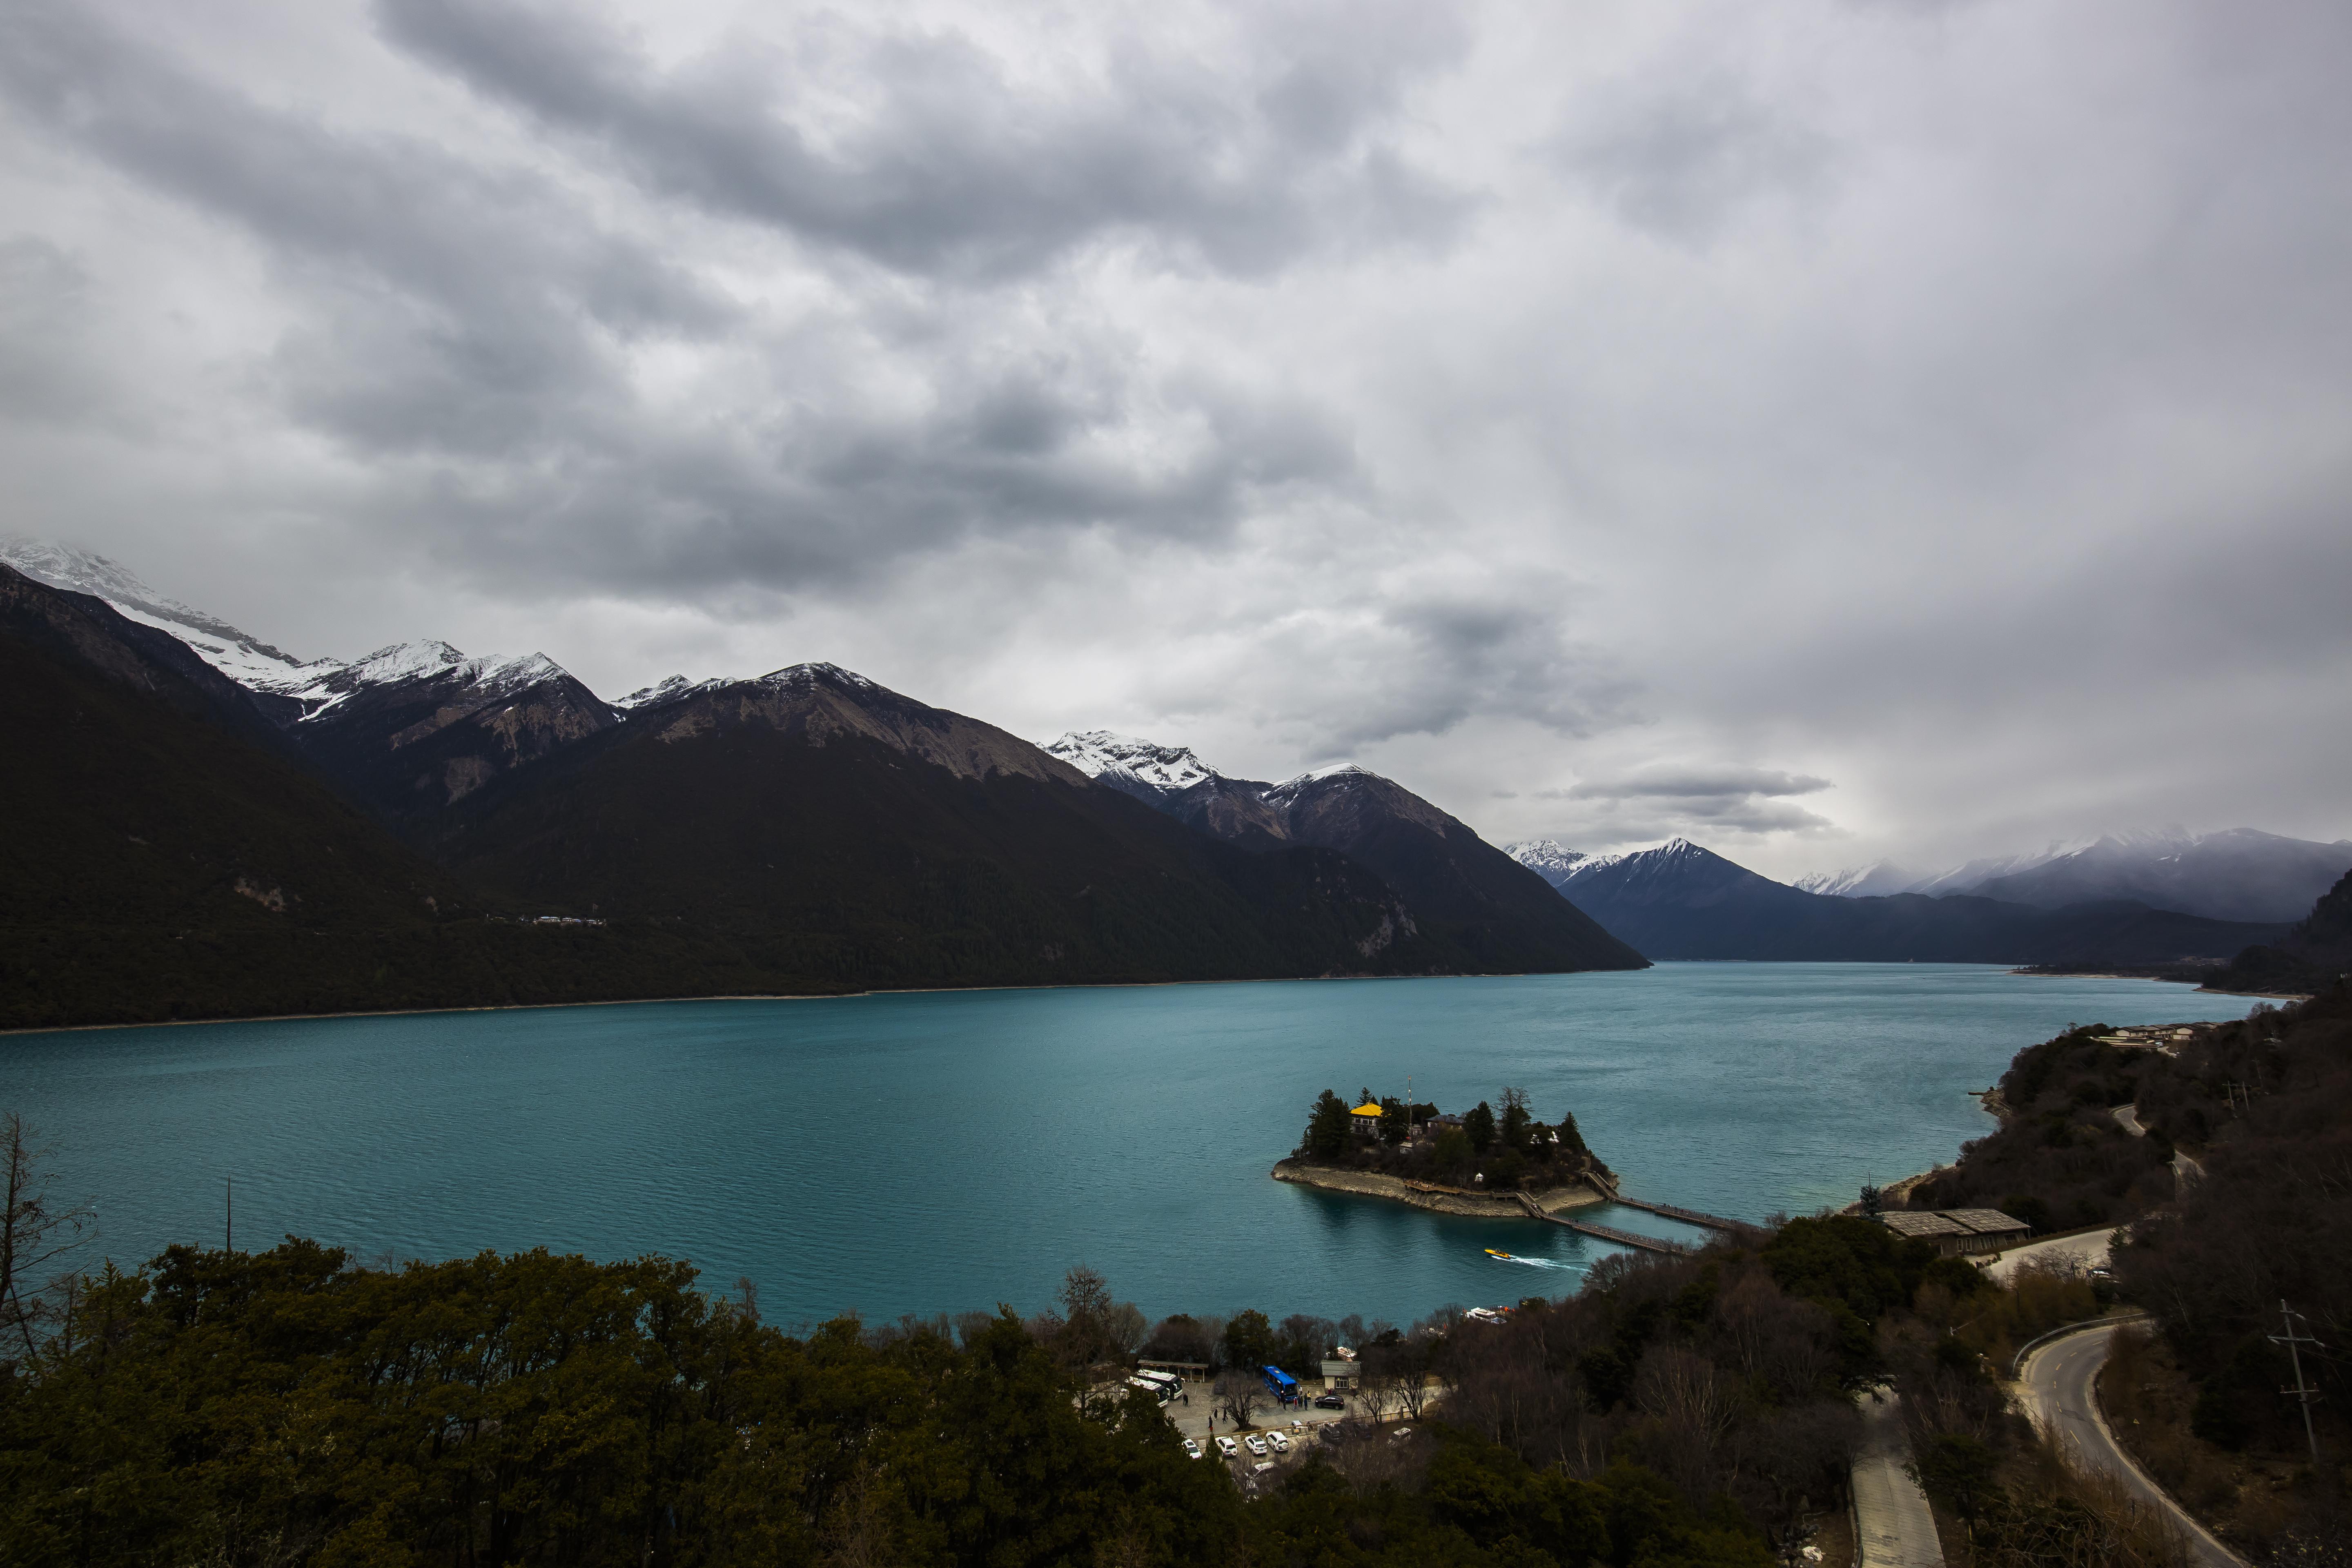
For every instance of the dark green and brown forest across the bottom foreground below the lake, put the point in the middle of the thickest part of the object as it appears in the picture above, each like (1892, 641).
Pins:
(535, 1409)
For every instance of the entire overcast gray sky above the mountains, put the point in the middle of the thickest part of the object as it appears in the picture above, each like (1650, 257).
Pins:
(1824, 431)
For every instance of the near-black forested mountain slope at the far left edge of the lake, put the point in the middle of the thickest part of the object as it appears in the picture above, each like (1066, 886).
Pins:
(168, 855)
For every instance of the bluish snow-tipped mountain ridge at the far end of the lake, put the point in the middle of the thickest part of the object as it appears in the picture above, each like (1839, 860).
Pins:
(1683, 902)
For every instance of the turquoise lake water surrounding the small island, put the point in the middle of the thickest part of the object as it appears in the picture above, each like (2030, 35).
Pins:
(942, 1153)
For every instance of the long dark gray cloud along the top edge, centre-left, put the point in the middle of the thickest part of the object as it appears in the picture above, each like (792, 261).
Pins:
(961, 168)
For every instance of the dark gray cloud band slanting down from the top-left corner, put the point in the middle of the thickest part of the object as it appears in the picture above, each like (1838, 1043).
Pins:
(453, 307)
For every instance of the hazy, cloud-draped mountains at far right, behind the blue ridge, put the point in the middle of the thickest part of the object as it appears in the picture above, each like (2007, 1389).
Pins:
(2224, 876)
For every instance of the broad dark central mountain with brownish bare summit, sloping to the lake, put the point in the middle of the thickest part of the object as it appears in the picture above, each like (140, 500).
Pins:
(902, 845)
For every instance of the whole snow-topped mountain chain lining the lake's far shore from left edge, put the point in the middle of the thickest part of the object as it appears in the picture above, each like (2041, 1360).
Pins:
(206, 826)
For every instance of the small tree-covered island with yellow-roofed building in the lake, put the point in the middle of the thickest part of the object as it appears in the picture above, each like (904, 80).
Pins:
(1481, 1162)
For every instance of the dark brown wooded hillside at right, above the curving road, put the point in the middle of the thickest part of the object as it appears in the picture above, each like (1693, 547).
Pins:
(2233, 1205)
